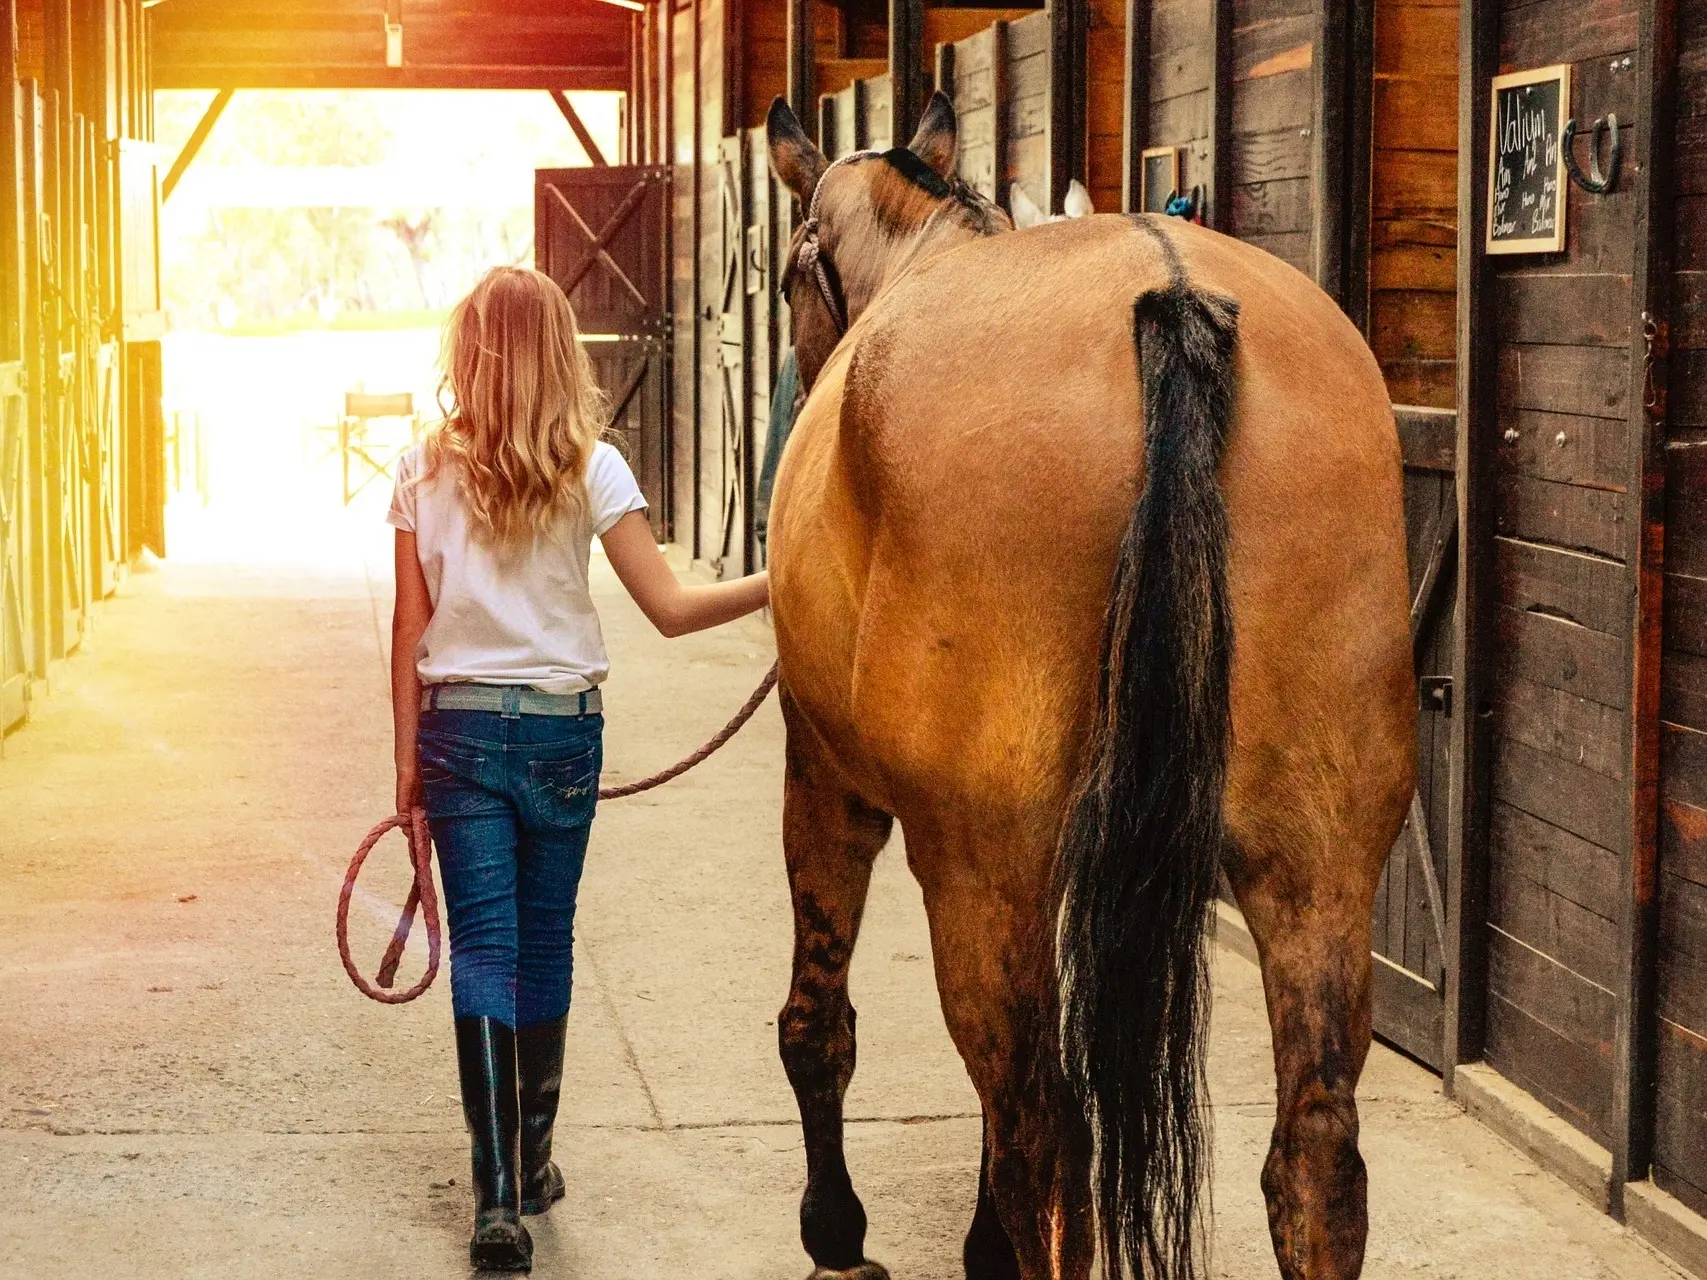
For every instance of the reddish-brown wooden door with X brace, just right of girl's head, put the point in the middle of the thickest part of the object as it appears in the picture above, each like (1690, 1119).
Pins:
(600, 233)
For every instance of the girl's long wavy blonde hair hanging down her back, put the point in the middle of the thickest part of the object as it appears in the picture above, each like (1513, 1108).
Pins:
(525, 410)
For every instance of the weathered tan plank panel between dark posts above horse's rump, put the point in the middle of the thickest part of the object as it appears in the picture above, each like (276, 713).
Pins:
(1274, 117)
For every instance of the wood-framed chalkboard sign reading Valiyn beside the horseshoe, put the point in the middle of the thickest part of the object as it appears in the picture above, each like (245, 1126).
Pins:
(1527, 161)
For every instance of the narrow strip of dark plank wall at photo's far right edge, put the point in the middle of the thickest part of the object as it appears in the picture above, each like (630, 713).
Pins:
(1681, 1132)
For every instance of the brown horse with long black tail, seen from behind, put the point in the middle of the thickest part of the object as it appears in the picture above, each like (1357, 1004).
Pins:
(1090, 569)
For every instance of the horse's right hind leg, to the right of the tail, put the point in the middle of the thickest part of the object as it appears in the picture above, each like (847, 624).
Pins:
(1317, 982)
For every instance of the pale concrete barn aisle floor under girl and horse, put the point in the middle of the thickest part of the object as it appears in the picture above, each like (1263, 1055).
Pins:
(190, 1088)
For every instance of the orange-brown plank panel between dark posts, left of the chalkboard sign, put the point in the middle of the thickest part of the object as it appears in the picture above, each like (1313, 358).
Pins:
(1414, 201)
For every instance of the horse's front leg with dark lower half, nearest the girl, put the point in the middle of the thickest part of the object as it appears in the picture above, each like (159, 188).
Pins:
(830, 841)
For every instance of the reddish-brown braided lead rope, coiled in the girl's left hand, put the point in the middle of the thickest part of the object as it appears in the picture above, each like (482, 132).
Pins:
(422, 895)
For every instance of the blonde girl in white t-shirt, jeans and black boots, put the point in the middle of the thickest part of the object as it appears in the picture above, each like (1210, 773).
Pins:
(496, 670)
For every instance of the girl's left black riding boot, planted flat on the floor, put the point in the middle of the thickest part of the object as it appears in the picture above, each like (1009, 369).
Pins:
(486, 1059)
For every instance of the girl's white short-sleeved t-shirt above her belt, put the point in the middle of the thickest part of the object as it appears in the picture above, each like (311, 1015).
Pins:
(525, 619)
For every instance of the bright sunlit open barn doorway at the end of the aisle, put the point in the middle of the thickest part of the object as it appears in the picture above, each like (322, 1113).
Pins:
(310, 257)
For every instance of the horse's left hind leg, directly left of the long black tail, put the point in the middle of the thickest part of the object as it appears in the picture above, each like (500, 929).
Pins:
(1034, 1219)
